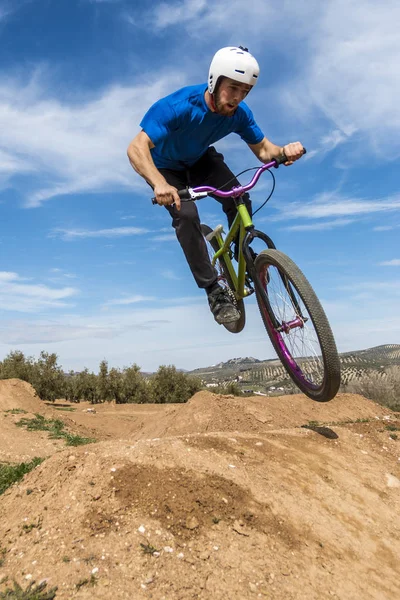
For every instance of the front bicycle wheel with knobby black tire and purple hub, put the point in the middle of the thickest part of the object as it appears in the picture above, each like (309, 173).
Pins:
(316, 375)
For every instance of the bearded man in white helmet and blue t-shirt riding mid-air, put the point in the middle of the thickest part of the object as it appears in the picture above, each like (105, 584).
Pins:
(173, 150)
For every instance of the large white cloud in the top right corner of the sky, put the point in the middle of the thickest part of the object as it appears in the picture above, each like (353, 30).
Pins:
(350, 72)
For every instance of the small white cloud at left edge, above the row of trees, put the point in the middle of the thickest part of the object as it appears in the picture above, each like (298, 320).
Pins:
(30, 297)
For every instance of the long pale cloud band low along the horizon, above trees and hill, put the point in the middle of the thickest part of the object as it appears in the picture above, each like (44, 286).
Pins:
(185, 334)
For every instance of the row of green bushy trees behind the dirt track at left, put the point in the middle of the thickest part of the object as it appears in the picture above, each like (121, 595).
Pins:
(119, 385)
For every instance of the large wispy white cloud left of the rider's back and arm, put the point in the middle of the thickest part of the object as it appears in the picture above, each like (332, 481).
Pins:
(73, 147)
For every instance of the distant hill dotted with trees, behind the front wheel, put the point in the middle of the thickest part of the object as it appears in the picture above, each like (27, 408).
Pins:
(262, 374)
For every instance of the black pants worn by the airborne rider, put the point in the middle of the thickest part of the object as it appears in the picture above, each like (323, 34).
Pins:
(210, 170)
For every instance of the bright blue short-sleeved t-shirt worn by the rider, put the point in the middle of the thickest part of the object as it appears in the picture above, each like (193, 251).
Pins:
(182, 127)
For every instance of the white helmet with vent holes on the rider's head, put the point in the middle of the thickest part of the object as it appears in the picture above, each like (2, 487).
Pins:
(234, 62)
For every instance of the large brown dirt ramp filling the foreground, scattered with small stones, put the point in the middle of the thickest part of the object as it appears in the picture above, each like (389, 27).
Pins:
(288, 515)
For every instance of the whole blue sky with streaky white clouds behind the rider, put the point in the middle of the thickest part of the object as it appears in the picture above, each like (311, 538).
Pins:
(91, 270)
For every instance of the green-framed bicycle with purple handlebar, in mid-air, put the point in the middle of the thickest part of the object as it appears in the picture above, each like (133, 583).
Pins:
(291, 312)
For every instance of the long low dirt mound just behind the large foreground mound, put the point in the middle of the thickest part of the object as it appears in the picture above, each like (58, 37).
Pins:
(207, 412)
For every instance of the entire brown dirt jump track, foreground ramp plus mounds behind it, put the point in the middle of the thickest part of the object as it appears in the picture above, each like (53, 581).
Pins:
(220, 498)
